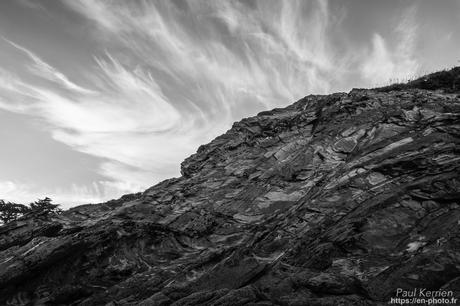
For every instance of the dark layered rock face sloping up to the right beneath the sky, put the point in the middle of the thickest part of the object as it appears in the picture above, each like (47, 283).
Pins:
(334, 200)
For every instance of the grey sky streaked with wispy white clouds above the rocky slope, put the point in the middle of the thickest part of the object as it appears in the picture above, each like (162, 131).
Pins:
(103, 98)
